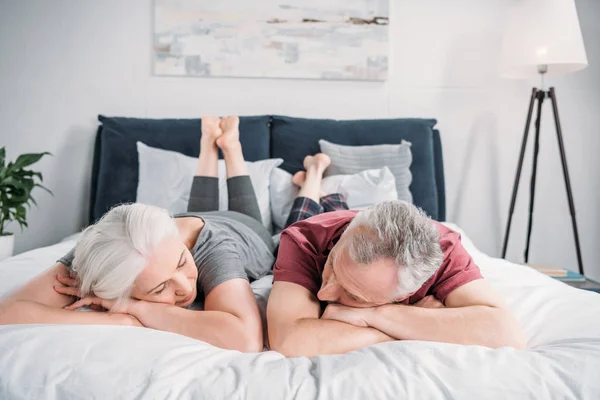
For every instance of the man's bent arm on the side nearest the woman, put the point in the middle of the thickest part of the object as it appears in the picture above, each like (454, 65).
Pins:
(296, 330)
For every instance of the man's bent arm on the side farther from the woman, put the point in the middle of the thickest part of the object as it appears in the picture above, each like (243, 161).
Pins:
(474, 315)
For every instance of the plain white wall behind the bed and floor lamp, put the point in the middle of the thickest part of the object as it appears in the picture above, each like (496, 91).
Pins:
(62, 62)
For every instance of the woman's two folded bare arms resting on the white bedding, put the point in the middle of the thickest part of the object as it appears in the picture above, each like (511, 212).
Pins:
(231, 318)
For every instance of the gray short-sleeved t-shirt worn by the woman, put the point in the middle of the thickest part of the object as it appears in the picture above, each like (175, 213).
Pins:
(231, 245)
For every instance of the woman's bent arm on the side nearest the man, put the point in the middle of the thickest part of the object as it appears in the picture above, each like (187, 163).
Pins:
(231, 319)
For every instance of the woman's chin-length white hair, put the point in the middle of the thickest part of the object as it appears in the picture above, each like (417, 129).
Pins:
(112, 252)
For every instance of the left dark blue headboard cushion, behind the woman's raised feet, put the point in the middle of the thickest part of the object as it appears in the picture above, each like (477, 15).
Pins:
(115, 166)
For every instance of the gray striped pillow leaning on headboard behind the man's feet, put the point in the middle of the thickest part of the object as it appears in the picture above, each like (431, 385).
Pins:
(347, 160)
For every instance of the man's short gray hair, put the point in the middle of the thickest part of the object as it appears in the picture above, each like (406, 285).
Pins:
(399, 231)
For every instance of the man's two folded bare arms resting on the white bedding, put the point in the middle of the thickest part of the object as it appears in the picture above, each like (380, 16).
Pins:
(473, 314)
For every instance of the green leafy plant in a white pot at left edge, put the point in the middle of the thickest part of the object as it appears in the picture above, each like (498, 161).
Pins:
(16, 184)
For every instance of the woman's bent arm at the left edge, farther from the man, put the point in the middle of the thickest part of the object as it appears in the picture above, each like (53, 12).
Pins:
(38, 302)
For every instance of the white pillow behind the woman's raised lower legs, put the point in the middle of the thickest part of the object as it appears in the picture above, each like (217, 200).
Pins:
(165, 180)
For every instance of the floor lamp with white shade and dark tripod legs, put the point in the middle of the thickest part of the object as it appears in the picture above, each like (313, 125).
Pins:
(542, 38)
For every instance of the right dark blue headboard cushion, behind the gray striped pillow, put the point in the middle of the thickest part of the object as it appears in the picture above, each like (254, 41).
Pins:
(294, 138)
